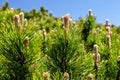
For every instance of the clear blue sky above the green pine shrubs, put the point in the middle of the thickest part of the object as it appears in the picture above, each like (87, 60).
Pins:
(103, 9)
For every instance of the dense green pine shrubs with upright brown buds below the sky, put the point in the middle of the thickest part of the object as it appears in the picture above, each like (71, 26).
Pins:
(36, 45)
